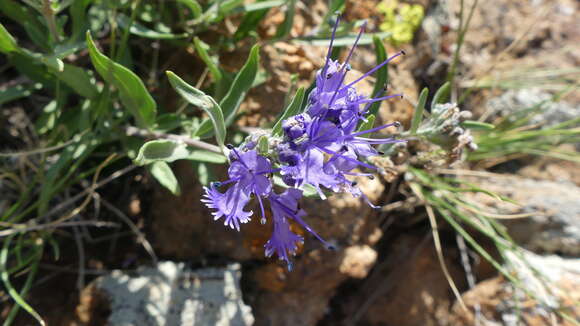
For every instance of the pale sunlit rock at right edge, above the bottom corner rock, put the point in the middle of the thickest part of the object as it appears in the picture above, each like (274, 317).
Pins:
(552, 224)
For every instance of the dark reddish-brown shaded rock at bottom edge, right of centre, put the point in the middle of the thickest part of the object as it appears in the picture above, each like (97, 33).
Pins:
(406, 288)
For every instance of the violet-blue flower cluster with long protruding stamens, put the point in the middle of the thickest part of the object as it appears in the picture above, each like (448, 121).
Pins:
(320, 147)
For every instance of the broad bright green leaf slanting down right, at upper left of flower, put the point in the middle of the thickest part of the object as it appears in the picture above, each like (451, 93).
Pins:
(132, 91)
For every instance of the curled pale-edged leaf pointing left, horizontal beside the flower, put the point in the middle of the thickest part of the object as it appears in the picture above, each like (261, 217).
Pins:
(167, 150)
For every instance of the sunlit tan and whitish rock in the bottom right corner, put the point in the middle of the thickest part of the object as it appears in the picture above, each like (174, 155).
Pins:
(501, 304)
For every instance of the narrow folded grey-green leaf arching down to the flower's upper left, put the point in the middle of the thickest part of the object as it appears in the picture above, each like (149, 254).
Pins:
(205, 102)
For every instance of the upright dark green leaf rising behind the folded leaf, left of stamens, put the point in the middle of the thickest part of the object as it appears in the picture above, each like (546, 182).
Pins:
(241, 84)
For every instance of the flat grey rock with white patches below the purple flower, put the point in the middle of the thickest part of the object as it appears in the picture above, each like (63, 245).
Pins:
(168, 294)
